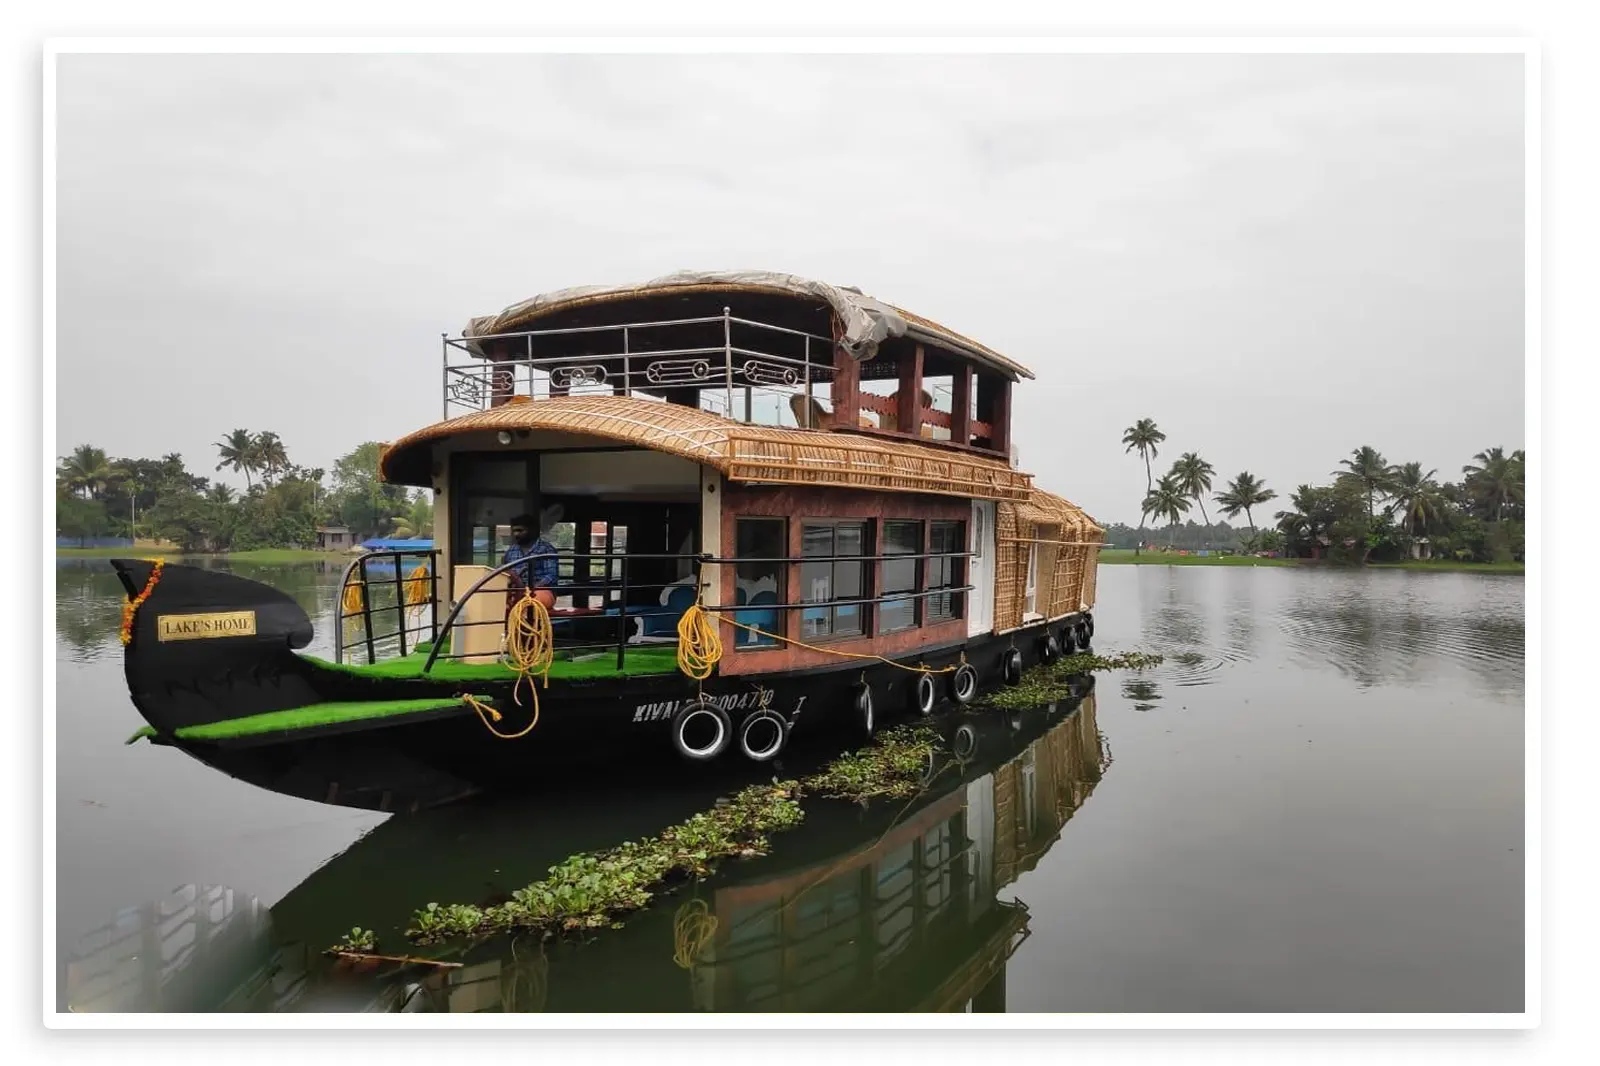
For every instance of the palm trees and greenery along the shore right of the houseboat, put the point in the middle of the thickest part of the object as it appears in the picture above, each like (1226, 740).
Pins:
(1372, 511)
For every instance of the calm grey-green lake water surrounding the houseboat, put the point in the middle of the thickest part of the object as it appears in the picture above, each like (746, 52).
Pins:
(1314, 804)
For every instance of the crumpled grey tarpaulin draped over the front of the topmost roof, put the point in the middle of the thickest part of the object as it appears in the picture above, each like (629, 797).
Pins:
(866, 323)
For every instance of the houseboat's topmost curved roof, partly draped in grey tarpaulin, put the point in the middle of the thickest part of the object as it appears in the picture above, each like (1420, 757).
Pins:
(865, 323)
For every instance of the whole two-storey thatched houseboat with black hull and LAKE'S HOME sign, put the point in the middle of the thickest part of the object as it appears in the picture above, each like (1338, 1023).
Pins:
(777, 510)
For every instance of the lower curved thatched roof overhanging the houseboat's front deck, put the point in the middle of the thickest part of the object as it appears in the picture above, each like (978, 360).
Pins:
(743, 454)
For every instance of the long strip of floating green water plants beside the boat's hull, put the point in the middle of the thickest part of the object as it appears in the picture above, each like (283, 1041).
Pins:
(598, 889)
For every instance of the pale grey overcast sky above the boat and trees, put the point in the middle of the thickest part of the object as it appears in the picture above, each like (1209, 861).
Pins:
(1276, 258)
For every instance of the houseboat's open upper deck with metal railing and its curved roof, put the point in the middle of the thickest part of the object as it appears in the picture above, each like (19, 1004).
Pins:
(764, 350)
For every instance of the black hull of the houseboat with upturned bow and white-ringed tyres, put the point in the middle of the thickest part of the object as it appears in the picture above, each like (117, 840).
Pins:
(425, 759)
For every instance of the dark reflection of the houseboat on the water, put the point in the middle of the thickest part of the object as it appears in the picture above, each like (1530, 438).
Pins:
(894, 908)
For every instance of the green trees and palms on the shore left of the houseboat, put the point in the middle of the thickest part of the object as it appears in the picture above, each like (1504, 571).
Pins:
(282, 505)
